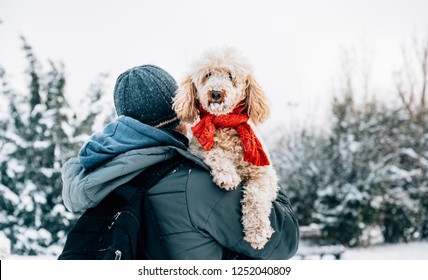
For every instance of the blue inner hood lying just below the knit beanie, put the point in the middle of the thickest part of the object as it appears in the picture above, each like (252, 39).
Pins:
(122, 135)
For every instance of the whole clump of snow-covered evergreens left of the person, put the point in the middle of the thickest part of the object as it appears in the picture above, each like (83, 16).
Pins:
(38, 134)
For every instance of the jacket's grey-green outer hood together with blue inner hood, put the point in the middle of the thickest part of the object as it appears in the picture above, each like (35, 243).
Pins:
(109, 159)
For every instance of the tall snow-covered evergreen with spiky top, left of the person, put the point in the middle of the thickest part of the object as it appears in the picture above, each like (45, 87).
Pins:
(33, 179)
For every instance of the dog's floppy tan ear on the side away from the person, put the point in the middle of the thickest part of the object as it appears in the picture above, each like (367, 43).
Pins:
(256, 101)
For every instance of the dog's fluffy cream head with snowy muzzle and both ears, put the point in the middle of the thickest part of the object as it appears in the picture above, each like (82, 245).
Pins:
(220, 81)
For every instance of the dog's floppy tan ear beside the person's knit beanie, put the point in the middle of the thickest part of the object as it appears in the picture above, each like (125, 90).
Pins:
(185, 101)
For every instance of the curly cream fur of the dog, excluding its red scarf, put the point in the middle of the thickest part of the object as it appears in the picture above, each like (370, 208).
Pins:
(225, 70)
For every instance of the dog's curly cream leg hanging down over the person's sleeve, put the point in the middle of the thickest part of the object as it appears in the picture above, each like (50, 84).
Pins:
(259, 192)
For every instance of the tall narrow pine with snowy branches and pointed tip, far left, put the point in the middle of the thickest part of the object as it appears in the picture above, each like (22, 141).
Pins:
(37, 181)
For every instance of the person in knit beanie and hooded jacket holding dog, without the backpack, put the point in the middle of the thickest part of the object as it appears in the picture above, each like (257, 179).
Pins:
(187, 216)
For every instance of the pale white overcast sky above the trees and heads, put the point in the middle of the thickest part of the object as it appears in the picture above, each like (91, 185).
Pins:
(294, 46)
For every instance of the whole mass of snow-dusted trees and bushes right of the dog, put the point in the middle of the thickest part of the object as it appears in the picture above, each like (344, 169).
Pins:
(369, 173)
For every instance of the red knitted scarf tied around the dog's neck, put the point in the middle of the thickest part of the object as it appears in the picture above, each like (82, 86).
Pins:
(205, 128)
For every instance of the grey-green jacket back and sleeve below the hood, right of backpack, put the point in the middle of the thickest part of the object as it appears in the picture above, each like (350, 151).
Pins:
(189, 217)
